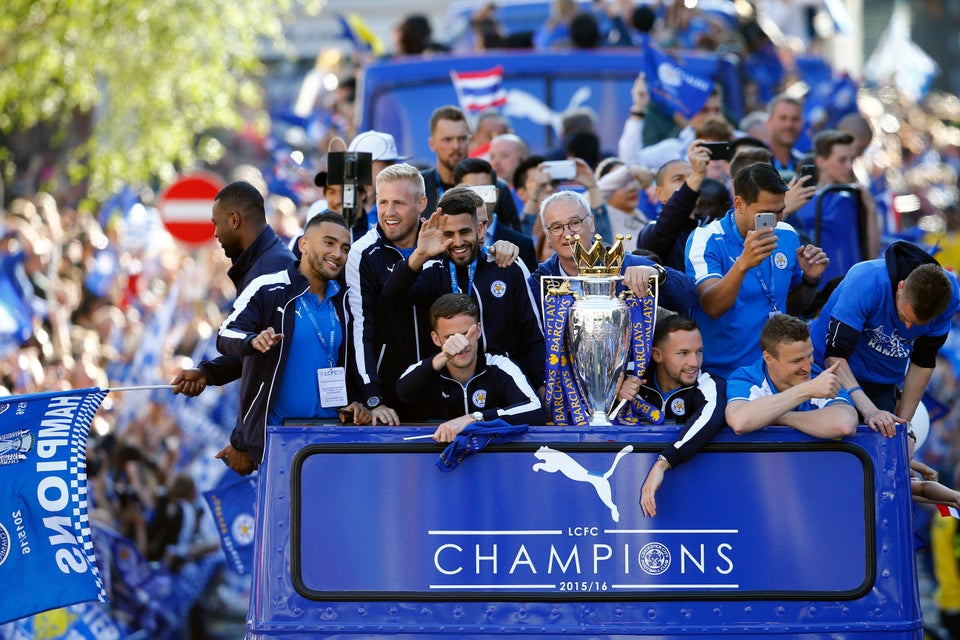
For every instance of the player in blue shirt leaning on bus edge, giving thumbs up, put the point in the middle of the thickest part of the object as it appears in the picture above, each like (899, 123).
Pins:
(786, 387)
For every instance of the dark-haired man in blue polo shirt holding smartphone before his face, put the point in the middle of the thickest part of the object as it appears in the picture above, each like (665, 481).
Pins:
(748, 266)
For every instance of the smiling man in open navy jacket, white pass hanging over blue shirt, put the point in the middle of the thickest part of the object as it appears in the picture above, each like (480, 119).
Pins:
(261, 330)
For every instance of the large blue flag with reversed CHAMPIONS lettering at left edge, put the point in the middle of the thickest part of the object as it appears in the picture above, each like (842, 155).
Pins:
(45, 546)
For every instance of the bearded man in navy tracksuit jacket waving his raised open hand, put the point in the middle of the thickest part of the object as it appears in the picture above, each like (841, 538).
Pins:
(509, 314)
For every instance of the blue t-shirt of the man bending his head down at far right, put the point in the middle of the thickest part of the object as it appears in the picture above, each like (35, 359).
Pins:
(865, 301)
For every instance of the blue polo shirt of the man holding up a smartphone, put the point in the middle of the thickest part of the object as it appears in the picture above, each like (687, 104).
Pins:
(733, 339)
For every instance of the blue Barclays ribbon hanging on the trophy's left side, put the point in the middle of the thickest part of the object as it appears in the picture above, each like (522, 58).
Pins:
(565, 398)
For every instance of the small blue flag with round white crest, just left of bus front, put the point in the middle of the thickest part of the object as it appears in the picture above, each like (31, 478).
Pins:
(232, 504)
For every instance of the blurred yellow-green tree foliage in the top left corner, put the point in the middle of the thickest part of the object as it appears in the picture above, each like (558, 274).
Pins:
(155, 74)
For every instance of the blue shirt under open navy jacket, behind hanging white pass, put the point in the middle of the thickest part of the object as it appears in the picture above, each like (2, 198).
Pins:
(310, 349)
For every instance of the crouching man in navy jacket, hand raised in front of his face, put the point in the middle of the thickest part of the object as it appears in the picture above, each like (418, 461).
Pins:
(463, 384)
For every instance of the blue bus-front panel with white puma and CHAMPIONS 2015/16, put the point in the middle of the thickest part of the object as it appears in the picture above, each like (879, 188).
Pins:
(570, 521)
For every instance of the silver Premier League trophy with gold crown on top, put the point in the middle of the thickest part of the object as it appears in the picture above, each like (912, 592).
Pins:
(599, 326)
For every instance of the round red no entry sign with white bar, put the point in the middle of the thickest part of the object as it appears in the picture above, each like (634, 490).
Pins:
(185, 207)
